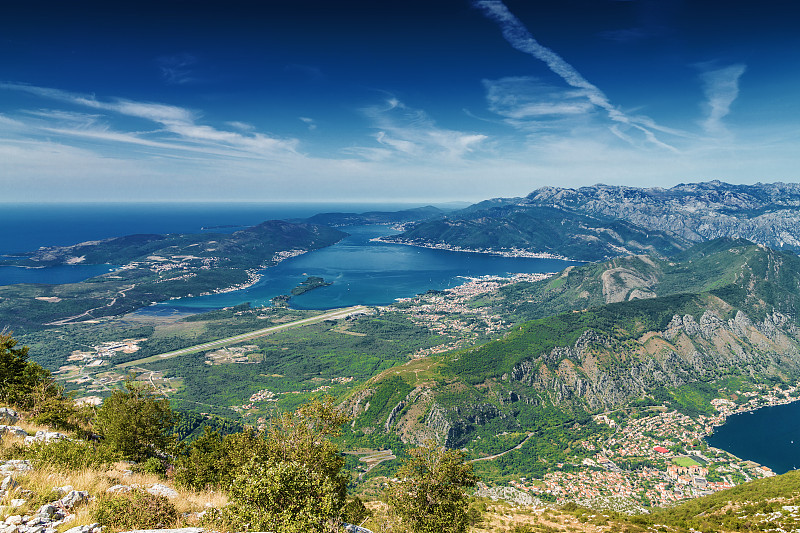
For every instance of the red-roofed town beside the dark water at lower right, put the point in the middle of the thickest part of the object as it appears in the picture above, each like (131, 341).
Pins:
(656, 459)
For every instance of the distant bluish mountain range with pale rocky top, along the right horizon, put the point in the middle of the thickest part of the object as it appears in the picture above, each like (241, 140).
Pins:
(602, 221)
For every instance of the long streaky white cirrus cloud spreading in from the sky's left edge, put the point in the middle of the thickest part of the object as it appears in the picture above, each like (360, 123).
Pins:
(178, 128)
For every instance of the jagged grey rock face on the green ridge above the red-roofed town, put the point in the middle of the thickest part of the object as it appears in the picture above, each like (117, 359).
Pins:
(598, 371)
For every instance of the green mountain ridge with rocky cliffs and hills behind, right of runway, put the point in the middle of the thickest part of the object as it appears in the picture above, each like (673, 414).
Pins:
(738, 320)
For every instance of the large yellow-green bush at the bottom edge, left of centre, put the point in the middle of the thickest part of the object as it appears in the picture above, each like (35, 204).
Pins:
(293, 481)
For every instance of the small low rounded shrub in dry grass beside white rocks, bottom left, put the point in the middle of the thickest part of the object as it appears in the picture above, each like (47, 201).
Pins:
(135, 510)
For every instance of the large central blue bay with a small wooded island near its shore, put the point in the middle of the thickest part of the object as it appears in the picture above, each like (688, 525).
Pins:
(366, 272)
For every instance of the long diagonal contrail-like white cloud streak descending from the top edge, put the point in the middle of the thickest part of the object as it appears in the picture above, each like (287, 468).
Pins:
(520, 38)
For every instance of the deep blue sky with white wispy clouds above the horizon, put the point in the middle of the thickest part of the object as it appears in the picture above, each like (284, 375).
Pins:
(412, 101)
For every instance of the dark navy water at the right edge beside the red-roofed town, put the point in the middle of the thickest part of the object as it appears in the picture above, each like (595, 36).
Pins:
(770, 436)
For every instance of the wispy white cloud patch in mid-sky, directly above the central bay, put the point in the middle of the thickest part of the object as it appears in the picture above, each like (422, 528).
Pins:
(411, 132)
